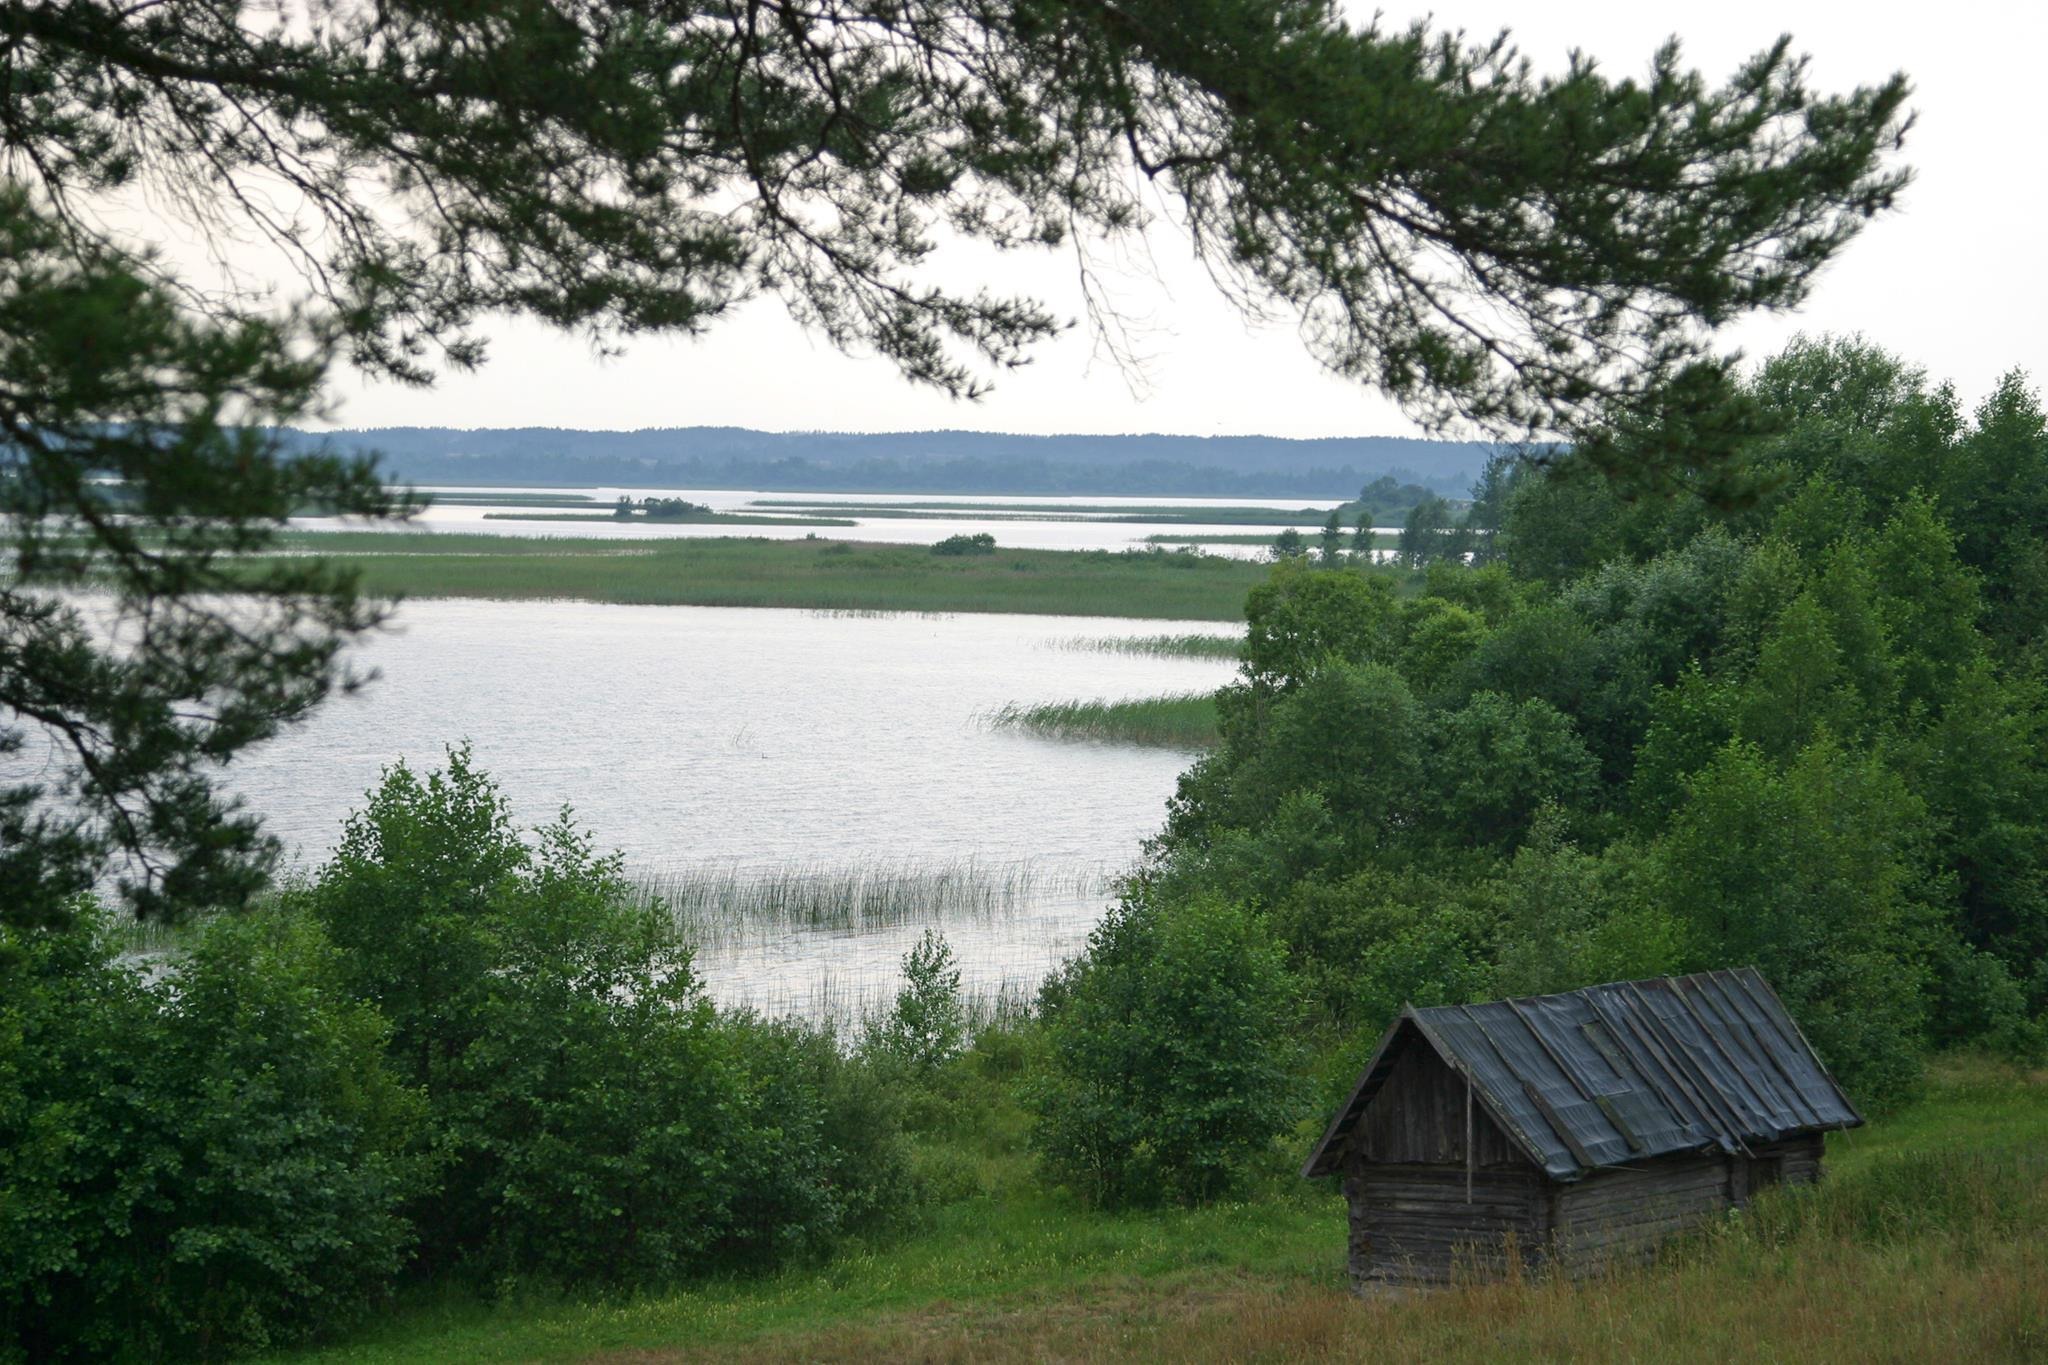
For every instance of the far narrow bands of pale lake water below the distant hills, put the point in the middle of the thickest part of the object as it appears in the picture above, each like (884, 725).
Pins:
(1078, 531)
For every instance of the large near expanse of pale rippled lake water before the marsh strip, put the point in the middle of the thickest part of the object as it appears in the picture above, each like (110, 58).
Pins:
(749, 740)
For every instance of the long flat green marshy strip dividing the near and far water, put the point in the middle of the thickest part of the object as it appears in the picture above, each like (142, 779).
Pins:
(794, 574)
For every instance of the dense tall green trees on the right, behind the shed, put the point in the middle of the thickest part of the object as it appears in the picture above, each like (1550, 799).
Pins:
(1644, 738)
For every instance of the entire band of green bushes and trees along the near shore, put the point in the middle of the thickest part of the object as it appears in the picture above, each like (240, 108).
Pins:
(1621, 740)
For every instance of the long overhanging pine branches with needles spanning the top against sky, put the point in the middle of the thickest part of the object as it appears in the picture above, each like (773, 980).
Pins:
(1568, 271)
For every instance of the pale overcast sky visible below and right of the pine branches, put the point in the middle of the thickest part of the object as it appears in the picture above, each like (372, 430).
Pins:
(1955, 279)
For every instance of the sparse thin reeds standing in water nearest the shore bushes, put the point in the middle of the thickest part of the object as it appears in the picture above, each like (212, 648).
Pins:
(732, 906)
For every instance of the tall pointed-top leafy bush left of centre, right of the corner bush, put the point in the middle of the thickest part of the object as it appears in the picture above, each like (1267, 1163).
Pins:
(603, 1122)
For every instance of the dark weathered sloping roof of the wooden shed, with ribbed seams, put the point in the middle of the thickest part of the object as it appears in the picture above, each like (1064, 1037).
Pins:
(1621, 1073)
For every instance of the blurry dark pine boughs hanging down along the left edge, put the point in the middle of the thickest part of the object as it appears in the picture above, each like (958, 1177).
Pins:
(136, 461)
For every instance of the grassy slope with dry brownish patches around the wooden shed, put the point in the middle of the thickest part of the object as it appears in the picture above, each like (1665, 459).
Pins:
(1926, 1243)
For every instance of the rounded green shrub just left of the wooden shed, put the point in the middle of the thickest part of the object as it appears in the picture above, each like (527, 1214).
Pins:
(1175, 1055)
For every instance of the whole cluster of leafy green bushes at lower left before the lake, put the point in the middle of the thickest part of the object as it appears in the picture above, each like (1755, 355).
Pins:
(454, 1051)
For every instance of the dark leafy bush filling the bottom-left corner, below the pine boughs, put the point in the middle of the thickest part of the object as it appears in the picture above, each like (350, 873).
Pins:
(198, 1168)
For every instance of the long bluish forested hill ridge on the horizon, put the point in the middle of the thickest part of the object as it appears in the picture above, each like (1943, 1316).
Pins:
(712, 457)
